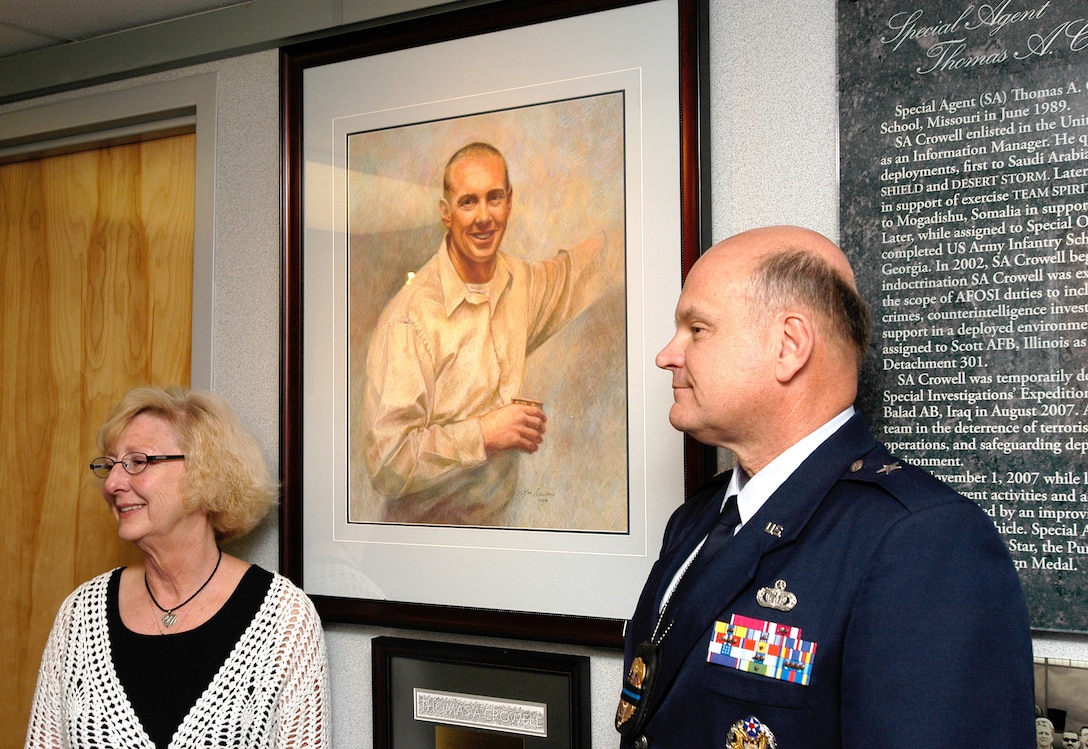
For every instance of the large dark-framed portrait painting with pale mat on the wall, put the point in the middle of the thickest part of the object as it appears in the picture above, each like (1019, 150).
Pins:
(488, 216)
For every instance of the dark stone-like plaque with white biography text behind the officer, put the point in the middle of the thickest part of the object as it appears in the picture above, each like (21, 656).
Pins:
(965, 206)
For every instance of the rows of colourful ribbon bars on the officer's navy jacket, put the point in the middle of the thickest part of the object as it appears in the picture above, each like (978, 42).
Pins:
(764, 648)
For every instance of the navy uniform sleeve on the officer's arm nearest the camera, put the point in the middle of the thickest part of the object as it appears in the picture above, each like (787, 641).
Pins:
(933, 656)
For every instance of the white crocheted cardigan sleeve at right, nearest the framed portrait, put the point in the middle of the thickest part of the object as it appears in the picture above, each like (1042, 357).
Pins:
(303, 720)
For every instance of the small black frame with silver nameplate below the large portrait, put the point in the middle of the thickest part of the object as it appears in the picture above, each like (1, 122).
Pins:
(450, 696)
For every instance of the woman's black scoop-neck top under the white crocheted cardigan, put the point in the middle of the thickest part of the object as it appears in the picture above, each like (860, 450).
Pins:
(165, 676)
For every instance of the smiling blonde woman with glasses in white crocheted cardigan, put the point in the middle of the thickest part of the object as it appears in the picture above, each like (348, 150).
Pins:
(192, 647)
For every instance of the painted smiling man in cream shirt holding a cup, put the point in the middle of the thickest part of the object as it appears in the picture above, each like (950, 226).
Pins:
(444, 420)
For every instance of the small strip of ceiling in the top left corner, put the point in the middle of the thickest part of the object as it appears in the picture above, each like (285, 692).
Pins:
(28, 26)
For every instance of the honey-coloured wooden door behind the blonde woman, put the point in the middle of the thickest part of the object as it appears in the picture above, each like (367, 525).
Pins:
(96, 294)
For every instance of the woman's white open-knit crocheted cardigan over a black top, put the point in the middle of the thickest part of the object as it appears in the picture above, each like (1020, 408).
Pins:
(271, 692)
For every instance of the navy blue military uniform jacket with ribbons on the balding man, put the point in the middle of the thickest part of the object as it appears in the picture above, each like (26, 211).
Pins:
(906, 597)
